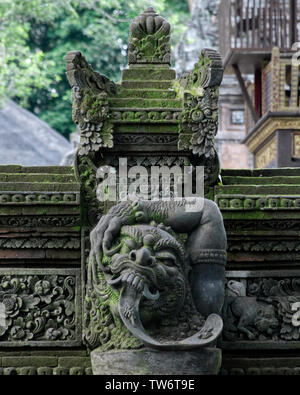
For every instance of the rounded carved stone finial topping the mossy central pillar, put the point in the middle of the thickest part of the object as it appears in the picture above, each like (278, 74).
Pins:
(149, 39)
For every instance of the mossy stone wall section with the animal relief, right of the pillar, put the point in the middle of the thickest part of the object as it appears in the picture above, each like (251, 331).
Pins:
(261, 214)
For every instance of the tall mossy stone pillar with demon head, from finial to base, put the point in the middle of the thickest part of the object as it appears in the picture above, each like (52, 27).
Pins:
(150, 119)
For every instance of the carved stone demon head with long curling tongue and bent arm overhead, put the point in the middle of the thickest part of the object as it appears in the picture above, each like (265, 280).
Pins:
(138, 274)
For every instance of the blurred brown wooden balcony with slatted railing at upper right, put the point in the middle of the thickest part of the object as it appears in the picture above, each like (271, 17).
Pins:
(249, 29)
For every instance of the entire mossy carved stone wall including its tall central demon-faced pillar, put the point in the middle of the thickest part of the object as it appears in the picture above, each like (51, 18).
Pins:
(75, 255)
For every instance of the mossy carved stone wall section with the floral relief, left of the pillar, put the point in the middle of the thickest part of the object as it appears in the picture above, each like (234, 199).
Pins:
(40, 272)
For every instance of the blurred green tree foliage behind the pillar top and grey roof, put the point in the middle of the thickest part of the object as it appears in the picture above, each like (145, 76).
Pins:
(35, 35)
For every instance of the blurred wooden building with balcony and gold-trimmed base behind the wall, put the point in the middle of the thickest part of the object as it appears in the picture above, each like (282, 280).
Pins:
(260, 38)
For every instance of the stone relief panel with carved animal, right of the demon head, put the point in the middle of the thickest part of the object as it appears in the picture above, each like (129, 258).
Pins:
(263, 309)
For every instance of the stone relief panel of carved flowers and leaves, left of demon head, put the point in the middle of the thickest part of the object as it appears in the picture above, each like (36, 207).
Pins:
(40, 307)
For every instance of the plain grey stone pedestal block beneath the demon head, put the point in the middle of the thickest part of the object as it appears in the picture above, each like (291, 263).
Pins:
(205, 361)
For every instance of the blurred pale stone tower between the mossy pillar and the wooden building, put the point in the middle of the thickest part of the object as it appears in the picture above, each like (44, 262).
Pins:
(202, 32)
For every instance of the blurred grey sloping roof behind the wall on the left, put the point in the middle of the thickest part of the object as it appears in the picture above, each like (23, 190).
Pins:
(27, 140)
